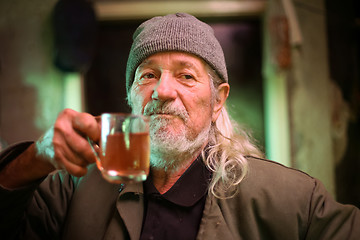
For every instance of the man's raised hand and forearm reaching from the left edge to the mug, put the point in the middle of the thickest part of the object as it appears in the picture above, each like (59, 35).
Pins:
(63, 146)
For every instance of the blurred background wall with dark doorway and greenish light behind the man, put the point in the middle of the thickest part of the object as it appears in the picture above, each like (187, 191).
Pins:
(293, 67)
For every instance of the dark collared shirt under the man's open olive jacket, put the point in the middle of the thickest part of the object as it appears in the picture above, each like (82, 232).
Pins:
(177, 213)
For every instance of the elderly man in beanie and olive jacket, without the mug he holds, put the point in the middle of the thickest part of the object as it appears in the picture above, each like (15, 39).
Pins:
(207, 181)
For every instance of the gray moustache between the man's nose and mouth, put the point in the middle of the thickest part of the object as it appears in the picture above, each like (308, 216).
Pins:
(161, 107)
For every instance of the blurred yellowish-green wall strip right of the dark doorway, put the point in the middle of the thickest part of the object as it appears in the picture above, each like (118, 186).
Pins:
(307, 88)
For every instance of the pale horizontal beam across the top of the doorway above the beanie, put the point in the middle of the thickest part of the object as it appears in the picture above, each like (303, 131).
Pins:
(128, 10)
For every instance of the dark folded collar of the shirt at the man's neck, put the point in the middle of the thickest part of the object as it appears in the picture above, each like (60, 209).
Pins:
(188, 189)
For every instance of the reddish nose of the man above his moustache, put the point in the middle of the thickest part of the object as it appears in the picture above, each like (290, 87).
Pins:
(165, 88)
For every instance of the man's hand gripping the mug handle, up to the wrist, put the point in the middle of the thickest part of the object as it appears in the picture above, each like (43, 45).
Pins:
(69, 148)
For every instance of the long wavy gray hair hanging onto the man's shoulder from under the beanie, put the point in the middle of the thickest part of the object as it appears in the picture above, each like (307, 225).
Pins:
(228, 147)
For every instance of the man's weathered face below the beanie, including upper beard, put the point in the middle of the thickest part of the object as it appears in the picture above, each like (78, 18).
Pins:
(174, 89)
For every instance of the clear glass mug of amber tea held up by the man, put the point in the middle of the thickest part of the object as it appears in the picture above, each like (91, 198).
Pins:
(124, 152)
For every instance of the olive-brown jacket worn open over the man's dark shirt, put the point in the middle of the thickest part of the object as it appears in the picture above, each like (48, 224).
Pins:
(272, 202)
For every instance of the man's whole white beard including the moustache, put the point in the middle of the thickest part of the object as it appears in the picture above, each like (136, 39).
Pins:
(169, 150)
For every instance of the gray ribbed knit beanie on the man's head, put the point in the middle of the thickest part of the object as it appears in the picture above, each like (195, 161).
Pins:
(175, 32)
